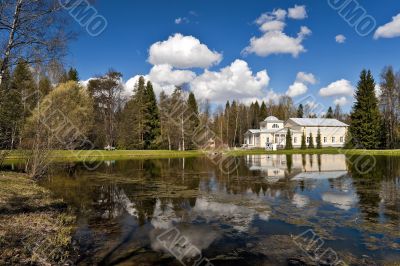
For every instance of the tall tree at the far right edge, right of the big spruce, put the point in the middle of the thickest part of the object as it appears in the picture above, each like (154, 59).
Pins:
(389, 100)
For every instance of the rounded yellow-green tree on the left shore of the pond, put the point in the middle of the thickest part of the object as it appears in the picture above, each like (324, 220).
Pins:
(60, 121)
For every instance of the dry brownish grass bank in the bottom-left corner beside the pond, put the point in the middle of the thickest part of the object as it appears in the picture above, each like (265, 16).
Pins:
(35, 228)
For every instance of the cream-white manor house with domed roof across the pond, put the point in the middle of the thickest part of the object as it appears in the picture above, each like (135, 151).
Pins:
(272, 132)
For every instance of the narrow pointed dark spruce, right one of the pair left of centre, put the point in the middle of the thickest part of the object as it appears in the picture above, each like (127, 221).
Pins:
(152, 118)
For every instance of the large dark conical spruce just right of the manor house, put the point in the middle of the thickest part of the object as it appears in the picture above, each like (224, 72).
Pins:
(365, 123)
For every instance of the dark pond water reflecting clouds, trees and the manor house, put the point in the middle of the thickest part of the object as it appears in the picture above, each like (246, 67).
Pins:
(179, 211)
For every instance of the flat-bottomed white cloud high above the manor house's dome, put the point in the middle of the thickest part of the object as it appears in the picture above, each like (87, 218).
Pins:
(277, 42)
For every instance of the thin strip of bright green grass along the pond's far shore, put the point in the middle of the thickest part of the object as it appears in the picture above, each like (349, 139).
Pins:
(98, 155)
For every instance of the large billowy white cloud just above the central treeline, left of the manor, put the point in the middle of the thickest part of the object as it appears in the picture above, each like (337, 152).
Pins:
(234, 82)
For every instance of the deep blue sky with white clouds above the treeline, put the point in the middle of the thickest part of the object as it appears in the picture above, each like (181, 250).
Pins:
(225, 29)
